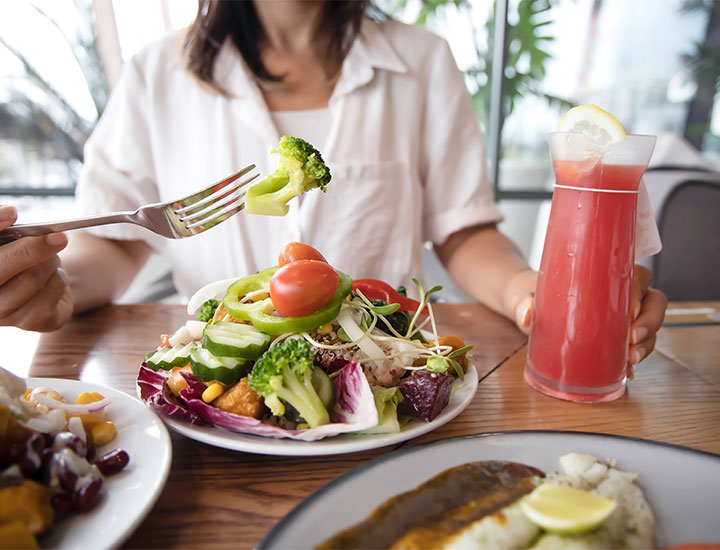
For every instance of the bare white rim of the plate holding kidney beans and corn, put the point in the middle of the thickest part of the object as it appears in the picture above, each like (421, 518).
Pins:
(129, 495)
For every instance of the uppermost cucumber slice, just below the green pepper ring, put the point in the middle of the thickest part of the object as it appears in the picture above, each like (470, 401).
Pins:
(225, 339)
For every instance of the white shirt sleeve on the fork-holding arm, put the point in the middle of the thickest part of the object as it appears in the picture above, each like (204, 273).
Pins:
(118, 172)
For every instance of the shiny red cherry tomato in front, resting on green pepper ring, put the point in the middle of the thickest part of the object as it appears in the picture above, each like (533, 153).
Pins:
(302, 287)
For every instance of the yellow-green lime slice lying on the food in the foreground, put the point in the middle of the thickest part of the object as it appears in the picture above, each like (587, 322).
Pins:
(564, 510)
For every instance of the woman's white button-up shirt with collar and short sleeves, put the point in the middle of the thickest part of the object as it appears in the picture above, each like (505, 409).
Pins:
(404, 149)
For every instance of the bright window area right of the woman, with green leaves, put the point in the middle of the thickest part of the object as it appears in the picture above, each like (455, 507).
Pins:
(654, 65)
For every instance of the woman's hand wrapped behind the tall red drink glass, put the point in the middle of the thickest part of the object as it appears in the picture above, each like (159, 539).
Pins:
(647, 306)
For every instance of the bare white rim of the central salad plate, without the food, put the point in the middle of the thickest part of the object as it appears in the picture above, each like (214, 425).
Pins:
(345, 443)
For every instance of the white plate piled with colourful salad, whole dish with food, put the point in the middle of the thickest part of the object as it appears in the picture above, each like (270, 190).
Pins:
(300, 359)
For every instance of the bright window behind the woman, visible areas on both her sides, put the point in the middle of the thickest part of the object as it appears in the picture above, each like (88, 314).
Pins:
(652, 64)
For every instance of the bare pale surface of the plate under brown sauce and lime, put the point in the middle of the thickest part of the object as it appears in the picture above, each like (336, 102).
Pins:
(682, 485)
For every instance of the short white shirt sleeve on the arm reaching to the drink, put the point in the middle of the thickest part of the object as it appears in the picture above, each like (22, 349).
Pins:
(457, 191)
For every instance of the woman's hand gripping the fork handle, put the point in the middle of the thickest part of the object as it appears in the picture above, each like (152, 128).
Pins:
(34, 294)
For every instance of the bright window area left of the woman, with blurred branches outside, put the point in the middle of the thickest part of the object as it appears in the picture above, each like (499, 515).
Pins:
(58, 60)
